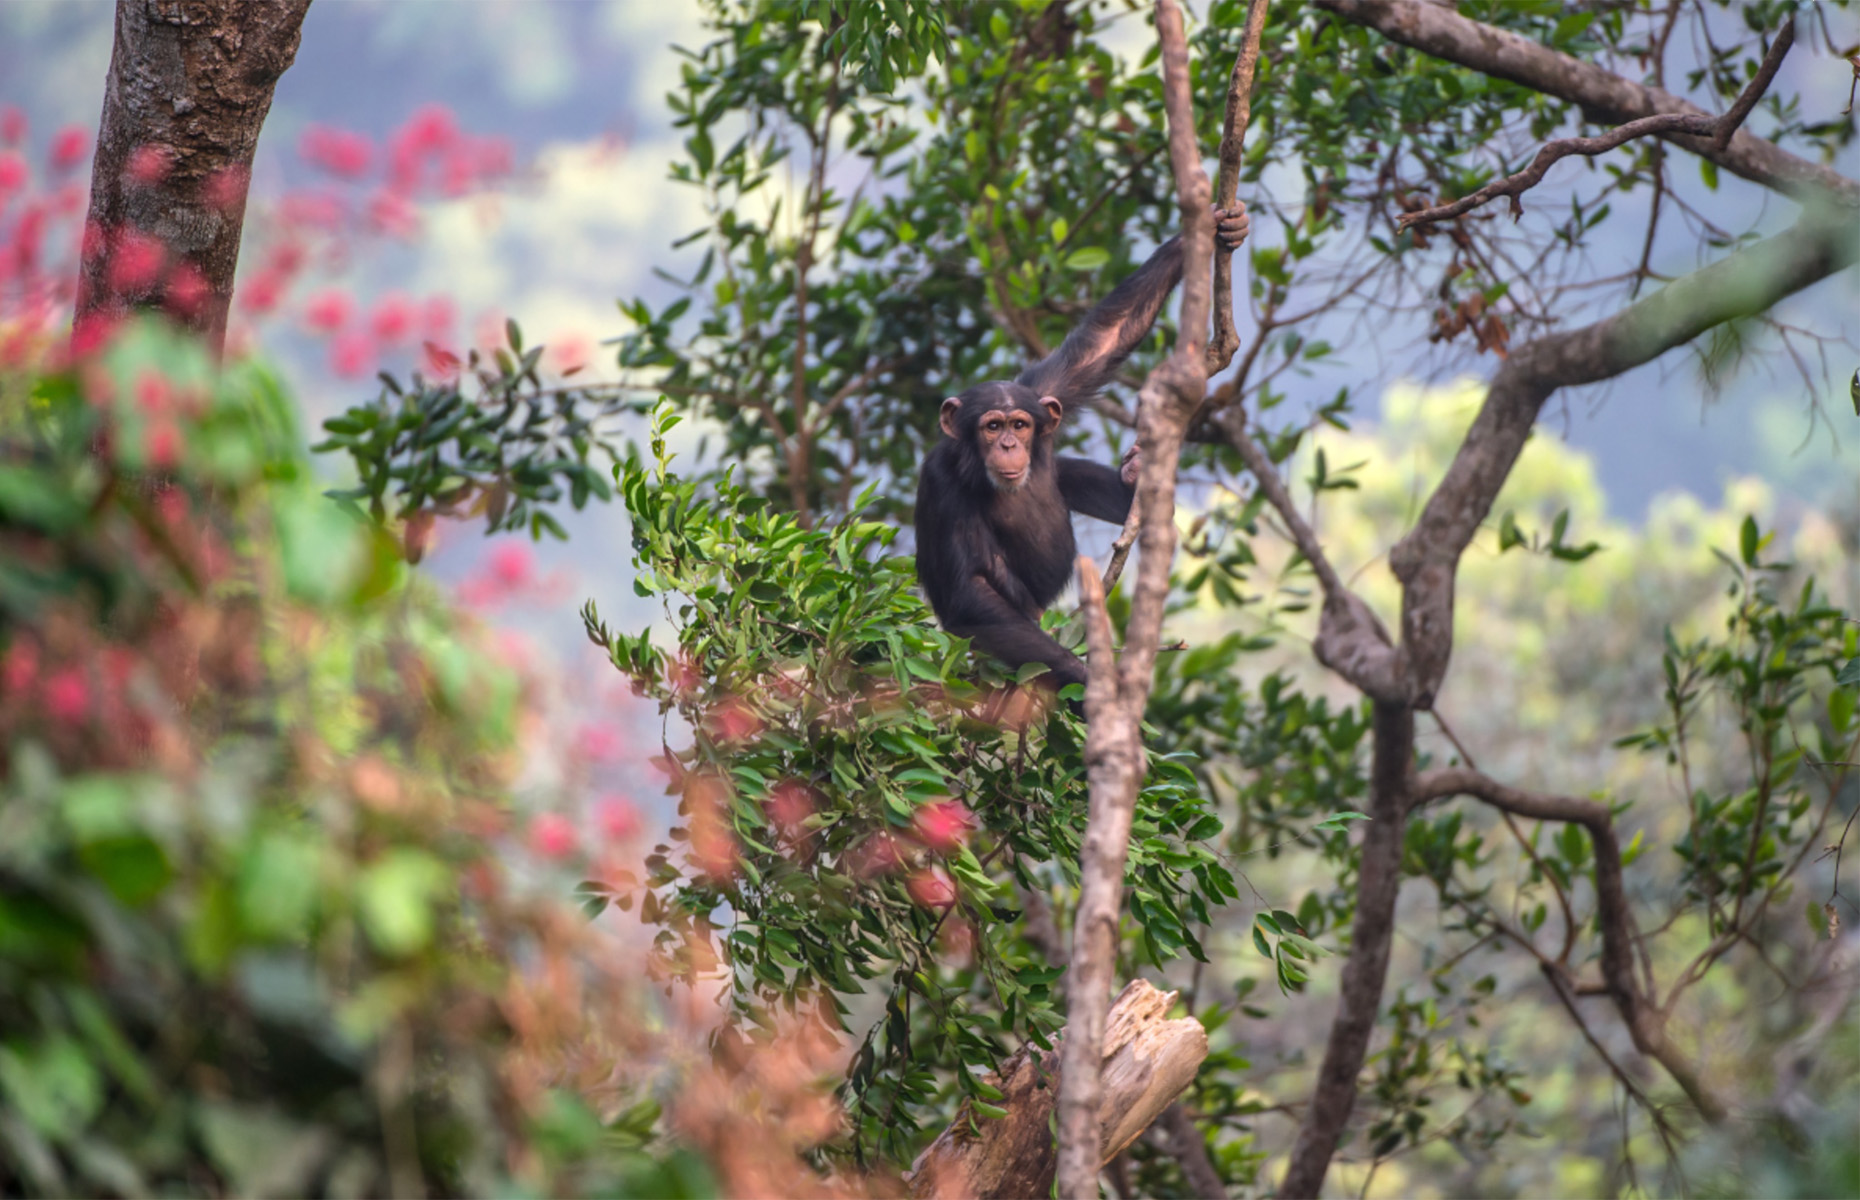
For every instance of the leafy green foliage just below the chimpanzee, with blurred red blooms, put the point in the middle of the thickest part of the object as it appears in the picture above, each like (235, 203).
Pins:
(858, 808)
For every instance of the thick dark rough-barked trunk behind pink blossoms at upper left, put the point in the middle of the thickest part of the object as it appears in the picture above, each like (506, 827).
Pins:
(191, 85)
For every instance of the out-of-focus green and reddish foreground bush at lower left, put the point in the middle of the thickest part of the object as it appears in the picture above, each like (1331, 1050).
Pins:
(263, 927)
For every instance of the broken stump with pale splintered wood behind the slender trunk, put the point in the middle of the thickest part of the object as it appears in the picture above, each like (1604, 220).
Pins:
(1149, 1063)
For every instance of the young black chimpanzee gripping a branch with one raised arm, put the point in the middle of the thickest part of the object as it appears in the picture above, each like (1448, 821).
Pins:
(994, 503)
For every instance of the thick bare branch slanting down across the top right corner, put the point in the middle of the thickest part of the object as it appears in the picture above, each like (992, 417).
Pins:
(1601, 94)
